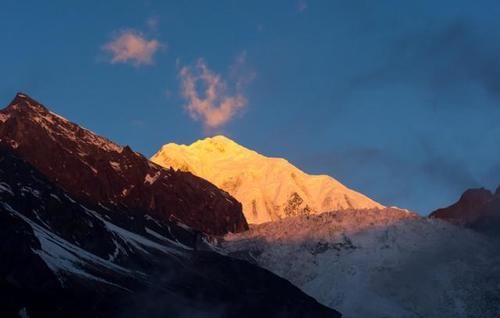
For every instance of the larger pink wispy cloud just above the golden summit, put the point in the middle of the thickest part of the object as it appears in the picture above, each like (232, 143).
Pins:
(214, 106)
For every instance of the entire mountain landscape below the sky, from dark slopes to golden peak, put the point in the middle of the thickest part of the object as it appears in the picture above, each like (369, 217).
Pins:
(89, 228)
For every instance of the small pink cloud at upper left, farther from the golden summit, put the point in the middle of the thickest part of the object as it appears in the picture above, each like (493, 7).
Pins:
(132, 47)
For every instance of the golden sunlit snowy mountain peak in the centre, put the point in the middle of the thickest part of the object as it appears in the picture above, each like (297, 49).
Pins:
(268, 188)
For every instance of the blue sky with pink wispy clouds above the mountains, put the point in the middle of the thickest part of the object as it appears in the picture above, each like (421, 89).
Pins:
(398, 100)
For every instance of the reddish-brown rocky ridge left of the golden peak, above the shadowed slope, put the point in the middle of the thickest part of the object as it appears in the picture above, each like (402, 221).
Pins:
(96, 169)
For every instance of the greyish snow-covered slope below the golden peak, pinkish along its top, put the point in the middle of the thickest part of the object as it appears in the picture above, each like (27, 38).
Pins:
(380, 263)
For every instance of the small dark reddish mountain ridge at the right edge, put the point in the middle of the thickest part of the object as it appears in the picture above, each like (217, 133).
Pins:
(477, 208)
